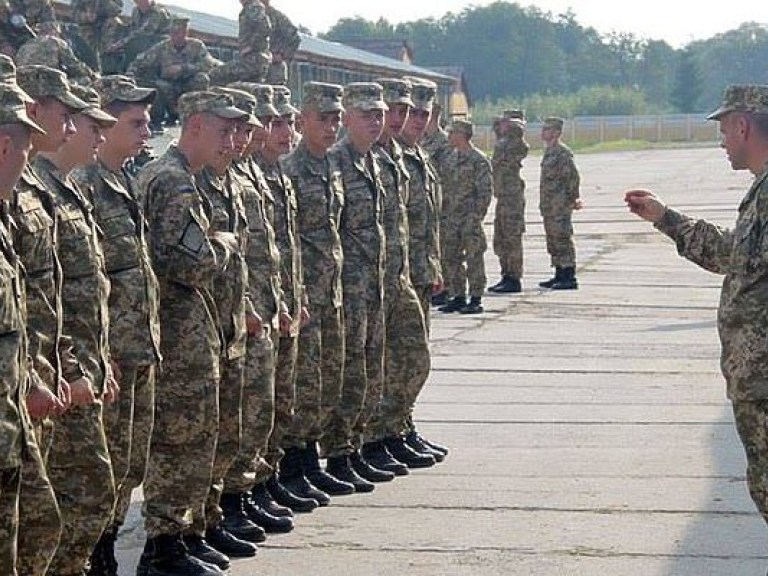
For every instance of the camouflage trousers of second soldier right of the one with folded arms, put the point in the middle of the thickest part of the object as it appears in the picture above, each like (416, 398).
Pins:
(258, 415)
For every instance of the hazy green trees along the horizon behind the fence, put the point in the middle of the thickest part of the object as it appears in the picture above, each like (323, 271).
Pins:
(515, 55)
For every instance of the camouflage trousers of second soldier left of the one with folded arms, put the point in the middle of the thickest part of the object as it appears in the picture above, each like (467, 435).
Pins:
(80, 471)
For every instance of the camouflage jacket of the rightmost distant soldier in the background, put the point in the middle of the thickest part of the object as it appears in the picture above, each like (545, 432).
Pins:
(559, 186)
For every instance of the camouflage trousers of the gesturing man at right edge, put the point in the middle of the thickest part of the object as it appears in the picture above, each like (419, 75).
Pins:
(751, 419)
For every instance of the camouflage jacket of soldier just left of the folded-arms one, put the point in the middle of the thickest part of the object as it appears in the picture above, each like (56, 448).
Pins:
(134, 325)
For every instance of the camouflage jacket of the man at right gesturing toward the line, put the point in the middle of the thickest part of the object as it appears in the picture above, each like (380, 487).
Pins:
(741, 254)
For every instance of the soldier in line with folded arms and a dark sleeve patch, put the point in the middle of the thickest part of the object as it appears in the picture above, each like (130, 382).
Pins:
(187, 255)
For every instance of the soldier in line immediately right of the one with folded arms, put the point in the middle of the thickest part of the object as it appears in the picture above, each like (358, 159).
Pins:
(226, 526)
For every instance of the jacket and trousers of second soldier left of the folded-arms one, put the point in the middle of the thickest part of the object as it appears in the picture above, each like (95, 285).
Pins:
(79, 463)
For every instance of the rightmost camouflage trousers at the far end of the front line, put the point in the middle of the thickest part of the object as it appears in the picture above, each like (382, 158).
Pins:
(406, 362)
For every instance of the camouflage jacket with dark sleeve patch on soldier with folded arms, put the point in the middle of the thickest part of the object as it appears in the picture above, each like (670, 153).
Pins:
(187, 258)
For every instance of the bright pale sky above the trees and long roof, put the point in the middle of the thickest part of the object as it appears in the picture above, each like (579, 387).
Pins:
(676, 21)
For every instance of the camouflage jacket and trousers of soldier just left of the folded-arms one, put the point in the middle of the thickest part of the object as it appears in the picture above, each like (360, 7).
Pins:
(134, 328)
